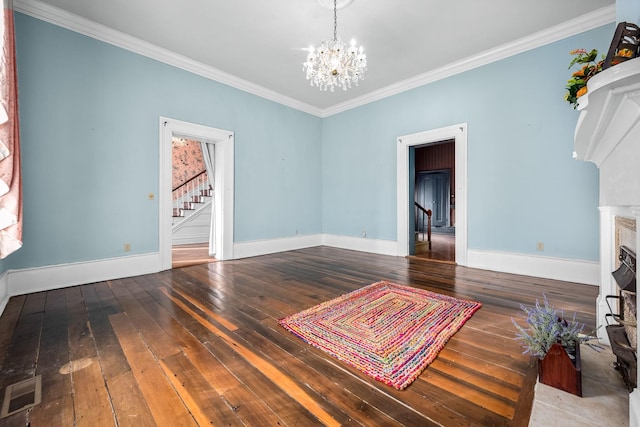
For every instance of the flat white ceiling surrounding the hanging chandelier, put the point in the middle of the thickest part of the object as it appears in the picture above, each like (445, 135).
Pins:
(262, 41)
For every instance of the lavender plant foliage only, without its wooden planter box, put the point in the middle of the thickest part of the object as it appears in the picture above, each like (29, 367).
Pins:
(546, 325)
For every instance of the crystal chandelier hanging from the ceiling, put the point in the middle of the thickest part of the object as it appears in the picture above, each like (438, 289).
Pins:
(334, 63)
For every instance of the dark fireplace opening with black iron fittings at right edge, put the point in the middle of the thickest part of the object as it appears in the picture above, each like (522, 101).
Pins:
(623, 331)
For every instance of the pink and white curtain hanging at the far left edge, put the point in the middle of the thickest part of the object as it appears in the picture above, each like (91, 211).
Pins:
(10, 188)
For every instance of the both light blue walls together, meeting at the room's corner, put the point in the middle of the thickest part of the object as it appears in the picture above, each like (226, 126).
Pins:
(89, 123)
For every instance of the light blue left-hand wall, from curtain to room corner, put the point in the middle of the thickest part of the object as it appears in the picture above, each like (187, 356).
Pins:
(89, 126)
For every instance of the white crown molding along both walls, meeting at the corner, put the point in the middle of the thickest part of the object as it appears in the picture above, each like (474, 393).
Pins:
(64, 19)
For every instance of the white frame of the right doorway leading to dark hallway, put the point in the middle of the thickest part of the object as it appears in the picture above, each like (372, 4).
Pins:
(406, 184)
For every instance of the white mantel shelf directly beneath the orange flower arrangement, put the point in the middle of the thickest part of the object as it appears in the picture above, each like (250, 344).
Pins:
(608, 111)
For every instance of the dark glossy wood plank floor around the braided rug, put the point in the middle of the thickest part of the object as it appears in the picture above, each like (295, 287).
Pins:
(200, 345)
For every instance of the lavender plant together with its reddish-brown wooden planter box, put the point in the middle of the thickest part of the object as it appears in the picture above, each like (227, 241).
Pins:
(556, 343)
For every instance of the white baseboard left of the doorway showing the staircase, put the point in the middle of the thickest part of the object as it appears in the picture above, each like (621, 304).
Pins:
(30, 280)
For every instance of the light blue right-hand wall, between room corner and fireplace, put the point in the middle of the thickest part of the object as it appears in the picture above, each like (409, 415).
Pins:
(523, 185)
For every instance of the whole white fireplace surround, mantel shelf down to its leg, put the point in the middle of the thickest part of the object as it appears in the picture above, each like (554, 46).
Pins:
(608, 134)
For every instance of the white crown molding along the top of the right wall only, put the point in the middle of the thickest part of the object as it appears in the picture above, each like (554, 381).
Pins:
(589, 21)
